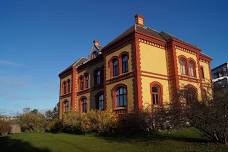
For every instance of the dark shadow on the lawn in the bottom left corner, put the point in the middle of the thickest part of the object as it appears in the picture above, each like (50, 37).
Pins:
(13, 145)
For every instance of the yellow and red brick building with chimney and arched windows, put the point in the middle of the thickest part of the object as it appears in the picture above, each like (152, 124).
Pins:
(140, 67)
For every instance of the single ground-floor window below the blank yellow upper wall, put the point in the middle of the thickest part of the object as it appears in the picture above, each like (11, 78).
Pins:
(156, 94)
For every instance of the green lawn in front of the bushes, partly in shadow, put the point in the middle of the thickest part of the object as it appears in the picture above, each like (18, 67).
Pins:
(187, 140)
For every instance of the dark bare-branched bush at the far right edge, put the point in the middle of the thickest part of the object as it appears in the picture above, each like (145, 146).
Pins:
(211, 117)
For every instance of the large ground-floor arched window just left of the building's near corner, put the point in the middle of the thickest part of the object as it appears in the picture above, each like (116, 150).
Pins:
(121, 97)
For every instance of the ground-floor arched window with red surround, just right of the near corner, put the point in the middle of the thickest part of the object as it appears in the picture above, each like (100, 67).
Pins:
(156, 93)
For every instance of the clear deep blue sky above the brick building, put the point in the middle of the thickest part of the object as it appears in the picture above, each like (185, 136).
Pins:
(39, 38)
